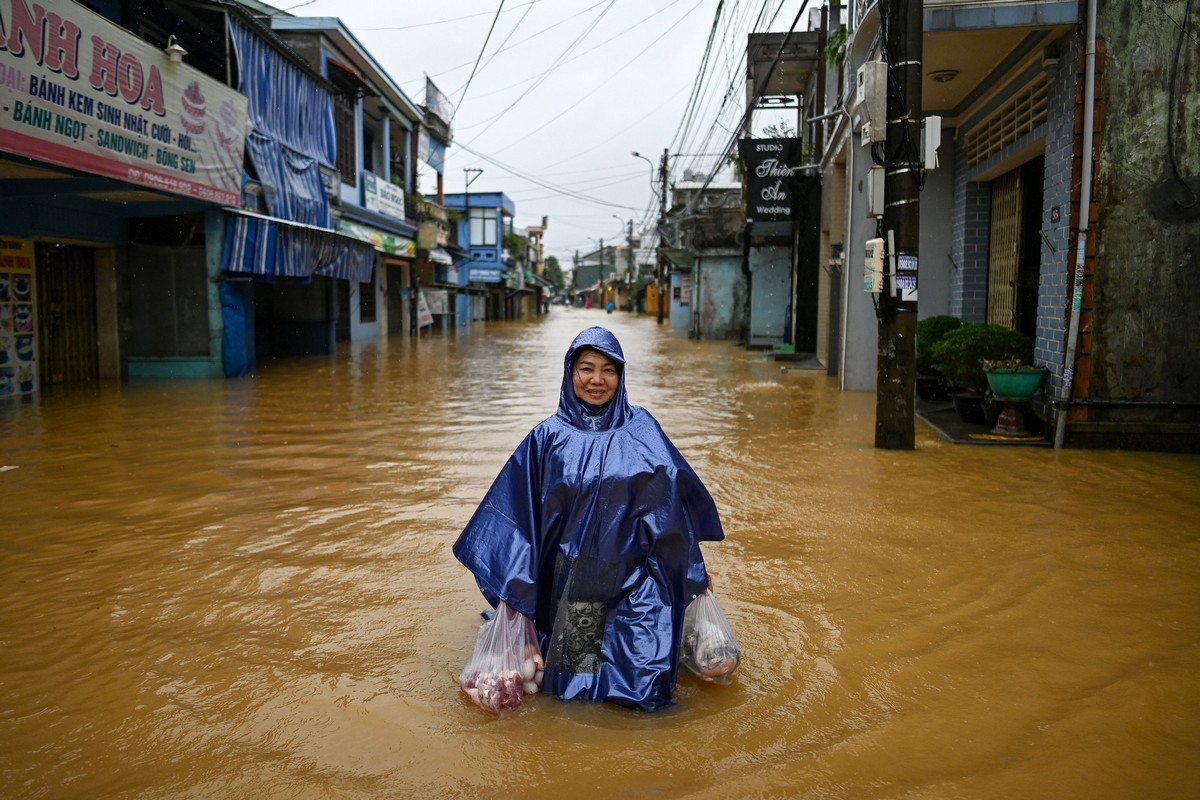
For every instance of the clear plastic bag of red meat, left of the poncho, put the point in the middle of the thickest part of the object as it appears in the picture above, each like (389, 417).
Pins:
(507, 663)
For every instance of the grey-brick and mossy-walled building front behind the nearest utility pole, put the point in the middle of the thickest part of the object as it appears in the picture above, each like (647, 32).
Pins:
(1060, 203)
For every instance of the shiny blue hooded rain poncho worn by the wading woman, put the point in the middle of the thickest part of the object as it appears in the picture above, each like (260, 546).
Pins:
(593, 530)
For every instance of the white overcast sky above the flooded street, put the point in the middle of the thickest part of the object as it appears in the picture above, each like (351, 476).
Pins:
(566, 91)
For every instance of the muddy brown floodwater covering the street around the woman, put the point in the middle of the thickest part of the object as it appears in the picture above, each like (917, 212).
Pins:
(245, 590)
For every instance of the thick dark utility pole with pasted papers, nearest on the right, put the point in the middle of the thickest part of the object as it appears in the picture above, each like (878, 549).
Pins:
(897, 360)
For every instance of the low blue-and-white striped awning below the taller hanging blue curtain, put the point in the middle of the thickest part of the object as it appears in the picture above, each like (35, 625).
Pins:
(277, 249)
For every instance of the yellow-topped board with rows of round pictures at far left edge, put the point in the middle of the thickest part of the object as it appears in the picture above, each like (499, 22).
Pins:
(19, 321)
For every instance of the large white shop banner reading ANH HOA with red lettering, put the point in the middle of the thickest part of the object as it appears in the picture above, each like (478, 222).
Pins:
(80, 92)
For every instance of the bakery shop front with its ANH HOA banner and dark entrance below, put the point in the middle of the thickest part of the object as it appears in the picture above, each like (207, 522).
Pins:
(105, 187)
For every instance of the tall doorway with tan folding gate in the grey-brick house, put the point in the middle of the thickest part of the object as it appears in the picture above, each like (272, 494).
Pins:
(1015, 251)
